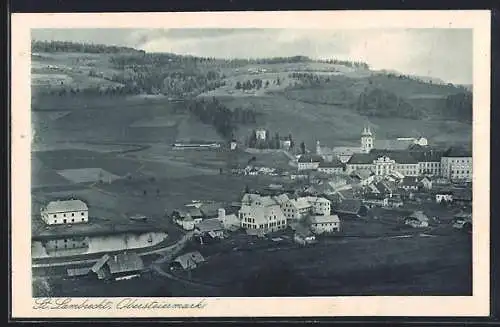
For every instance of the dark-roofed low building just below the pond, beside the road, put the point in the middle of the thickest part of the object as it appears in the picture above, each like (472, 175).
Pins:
(118, 266)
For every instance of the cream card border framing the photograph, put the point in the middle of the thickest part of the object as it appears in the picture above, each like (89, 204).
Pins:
(479, 21)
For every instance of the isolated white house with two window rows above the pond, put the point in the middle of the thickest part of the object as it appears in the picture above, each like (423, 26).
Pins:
(65, 212)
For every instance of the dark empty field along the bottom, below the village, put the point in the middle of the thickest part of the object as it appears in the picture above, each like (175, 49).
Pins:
(412, 266)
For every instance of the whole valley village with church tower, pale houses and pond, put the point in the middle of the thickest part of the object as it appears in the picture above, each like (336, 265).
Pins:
(384, 189)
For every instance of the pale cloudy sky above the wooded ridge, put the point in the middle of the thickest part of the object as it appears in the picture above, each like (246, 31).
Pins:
(440, 53)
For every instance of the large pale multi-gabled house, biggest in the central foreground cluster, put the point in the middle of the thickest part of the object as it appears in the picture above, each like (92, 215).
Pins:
(260, 215)
